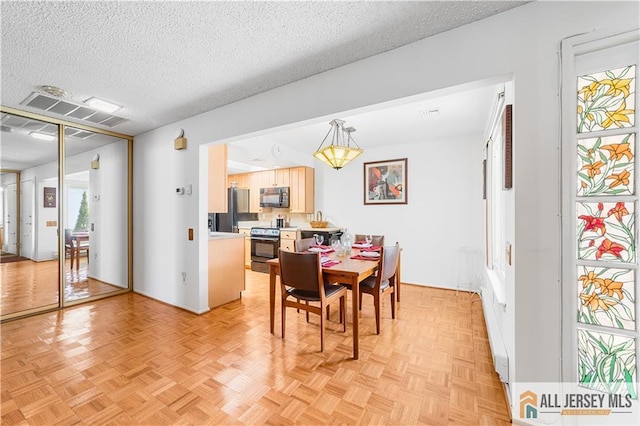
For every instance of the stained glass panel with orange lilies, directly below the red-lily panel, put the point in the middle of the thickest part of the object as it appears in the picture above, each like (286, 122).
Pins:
(606, 297)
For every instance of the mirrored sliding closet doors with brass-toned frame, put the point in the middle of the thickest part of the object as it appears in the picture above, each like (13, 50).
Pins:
(65, 229)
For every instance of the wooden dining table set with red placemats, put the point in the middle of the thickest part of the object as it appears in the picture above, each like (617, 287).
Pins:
(348, 271)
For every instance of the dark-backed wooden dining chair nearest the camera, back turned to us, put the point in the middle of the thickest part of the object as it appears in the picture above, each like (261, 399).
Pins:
(301, 278)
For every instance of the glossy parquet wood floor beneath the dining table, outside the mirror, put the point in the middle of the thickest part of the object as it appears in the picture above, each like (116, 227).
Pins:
(129, 360)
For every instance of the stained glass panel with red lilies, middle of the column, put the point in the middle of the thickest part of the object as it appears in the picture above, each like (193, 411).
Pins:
(606, 231)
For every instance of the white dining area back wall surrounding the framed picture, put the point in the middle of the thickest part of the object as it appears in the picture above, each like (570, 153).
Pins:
(444, 211)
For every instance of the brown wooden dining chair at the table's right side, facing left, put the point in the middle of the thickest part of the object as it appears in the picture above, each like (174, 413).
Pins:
(383, 282)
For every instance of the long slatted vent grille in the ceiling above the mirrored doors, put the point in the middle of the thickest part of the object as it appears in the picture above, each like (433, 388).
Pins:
(58, 106)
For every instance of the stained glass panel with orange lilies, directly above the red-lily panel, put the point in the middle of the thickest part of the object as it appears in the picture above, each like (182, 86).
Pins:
(606, 165)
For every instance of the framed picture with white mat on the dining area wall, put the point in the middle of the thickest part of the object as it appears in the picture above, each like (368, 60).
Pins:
(385, 182)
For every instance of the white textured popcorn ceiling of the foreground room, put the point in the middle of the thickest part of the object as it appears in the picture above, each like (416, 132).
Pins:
(165, 61)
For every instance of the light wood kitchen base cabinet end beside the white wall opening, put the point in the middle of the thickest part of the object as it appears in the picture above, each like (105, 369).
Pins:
(226, 268)
